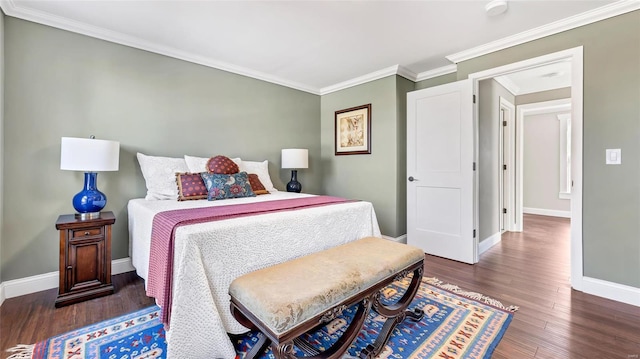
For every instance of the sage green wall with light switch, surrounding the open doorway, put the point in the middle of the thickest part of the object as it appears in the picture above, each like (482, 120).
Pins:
(611, 119)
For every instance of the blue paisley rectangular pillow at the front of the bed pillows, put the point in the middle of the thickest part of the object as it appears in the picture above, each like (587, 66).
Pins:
(223, 186)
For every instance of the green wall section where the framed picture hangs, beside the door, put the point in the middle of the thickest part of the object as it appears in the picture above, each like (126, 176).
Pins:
(373, 177)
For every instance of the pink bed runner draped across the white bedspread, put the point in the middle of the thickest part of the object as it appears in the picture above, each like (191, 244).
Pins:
(159, 281)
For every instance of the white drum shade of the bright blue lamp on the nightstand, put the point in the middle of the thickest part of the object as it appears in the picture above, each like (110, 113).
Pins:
(89, 154)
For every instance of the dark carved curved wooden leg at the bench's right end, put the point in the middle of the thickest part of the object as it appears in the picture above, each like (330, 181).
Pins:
(395, 314)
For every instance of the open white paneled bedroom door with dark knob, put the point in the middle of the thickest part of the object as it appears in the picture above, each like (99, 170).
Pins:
(441, 171)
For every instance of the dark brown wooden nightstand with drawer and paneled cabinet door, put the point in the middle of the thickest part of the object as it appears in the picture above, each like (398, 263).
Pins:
(85, 258)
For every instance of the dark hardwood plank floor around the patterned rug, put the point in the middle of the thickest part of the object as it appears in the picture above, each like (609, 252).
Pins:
(529, 269)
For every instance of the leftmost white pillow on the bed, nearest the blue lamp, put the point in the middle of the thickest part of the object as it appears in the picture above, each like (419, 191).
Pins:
(160, 175)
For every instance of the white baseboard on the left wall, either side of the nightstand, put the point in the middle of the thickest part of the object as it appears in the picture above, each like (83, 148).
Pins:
(37, 283)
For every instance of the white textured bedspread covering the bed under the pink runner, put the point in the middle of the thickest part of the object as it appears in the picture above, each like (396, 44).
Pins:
(209, 256)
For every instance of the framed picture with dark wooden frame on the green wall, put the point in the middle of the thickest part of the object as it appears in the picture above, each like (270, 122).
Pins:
(353, 131)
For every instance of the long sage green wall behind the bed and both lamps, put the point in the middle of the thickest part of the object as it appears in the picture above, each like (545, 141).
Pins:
(63, 84)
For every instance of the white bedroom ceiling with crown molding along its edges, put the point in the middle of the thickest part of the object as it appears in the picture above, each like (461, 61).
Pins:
(316, 46)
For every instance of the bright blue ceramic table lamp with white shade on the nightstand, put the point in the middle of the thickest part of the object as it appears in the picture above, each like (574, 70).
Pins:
(90, 156)
